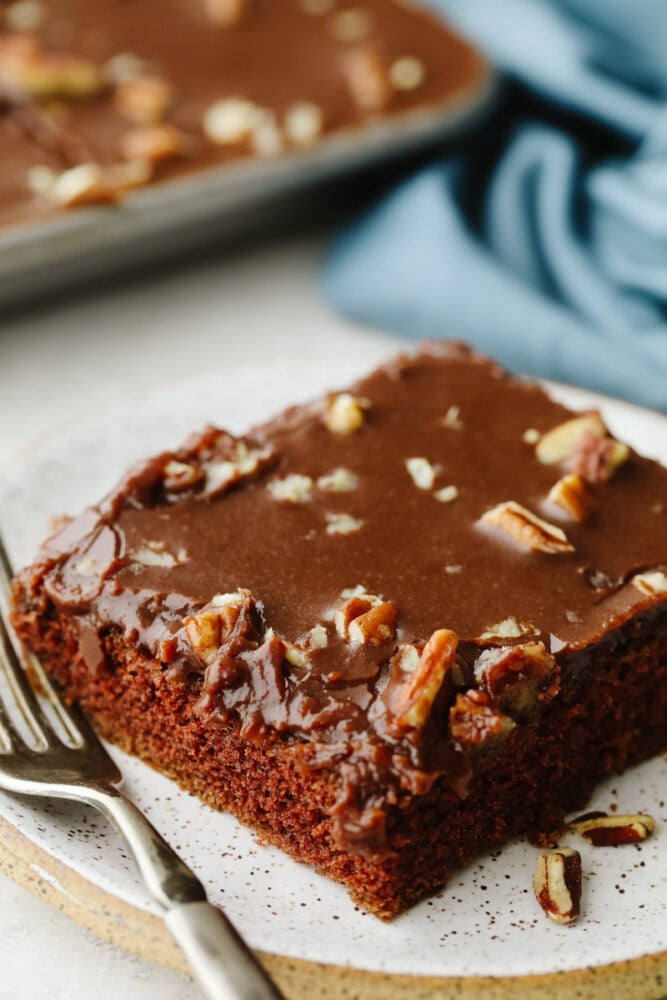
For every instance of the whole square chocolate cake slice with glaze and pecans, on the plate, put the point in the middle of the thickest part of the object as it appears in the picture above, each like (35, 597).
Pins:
(388, 630)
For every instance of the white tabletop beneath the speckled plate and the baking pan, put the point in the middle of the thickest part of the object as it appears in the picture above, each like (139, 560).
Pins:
(56, 364)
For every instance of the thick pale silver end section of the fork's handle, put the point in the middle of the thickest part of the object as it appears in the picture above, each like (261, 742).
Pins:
(221, 962)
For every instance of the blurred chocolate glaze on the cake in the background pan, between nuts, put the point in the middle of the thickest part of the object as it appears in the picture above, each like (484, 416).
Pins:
(278, 55)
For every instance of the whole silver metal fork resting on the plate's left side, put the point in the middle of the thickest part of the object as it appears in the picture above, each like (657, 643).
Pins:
(78, 767)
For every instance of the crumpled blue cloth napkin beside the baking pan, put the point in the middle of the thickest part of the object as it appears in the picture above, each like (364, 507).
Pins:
(555, 259)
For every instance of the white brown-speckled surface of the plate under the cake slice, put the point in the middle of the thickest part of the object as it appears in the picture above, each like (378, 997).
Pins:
(487, 922)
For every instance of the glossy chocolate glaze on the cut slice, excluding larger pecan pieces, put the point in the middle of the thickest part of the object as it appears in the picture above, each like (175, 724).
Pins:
(435, 561)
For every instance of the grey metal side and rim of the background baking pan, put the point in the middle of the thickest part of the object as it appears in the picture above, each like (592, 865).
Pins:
(166, 219)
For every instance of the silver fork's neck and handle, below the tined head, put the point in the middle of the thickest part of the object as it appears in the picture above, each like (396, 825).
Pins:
(221, 962)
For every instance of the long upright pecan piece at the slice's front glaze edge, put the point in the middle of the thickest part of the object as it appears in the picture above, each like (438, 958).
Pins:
(426, 679)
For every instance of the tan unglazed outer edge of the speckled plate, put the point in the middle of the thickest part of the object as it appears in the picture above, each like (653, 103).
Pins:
(144, 934)
